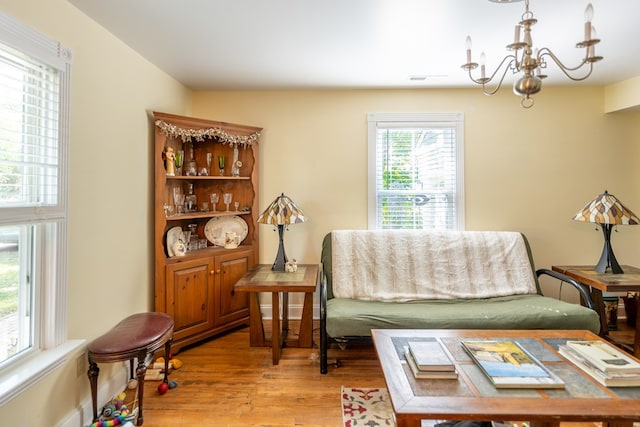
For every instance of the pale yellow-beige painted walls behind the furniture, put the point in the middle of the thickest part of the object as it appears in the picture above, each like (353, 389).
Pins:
(525, 170)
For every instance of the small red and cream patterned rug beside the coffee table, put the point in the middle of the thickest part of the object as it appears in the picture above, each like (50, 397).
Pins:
(366, 407)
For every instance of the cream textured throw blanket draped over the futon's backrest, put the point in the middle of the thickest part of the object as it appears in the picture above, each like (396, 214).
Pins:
(405, 265)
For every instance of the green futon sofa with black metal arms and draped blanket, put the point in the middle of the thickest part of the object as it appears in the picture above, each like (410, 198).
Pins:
(417, 279)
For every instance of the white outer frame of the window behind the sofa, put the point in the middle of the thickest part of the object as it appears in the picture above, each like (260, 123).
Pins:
(412, 119)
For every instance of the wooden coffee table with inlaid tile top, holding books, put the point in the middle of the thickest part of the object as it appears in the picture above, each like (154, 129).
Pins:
(473, 397)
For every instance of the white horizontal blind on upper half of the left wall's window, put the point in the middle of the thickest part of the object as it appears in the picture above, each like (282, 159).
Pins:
(28, 131)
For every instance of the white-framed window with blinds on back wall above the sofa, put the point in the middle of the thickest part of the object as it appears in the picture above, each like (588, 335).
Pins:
(415, 171)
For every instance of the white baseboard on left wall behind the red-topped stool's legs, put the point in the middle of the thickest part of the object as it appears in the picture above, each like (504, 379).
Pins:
(82, 416)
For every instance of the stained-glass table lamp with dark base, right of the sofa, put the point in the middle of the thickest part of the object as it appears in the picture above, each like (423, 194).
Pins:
(607, 211)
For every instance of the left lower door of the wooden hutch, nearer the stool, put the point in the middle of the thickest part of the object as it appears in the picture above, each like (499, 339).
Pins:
(189, 296)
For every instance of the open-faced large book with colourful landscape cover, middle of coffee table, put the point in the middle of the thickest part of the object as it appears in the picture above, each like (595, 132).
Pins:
(509, 365)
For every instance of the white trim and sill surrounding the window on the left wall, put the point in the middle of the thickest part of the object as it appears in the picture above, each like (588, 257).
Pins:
(53, 348)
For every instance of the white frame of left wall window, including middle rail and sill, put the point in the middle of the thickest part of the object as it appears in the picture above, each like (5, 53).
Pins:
(50, 345)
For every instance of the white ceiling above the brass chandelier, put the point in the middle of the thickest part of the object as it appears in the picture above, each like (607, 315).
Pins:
(305, 44)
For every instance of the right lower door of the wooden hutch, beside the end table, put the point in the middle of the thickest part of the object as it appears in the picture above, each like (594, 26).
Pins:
(229, 269)
